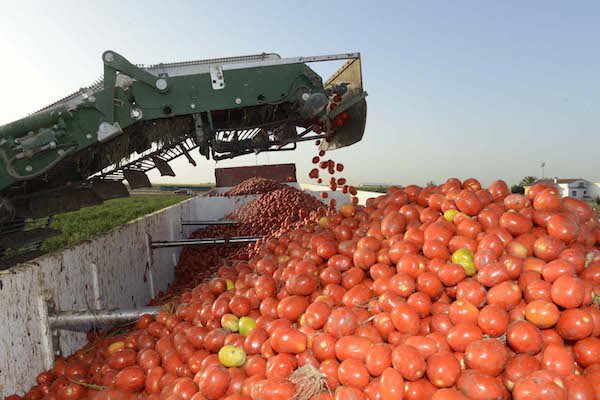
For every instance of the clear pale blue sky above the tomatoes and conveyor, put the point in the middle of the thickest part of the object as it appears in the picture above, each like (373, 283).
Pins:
(456, 88)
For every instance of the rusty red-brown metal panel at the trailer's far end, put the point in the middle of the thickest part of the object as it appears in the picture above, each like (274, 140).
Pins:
(235, 175)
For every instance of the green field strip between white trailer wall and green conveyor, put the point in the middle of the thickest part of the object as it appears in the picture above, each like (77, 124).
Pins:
(89, 222)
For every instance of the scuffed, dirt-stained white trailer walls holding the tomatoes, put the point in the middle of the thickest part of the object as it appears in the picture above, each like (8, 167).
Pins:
(48, 304)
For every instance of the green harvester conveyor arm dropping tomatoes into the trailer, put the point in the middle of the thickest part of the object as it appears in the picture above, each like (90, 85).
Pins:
(78, 151)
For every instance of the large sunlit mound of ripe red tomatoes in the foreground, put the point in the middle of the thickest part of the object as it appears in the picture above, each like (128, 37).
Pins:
(447, 292)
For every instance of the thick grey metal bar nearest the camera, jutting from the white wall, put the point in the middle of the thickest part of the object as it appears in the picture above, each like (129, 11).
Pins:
(77, 319)
